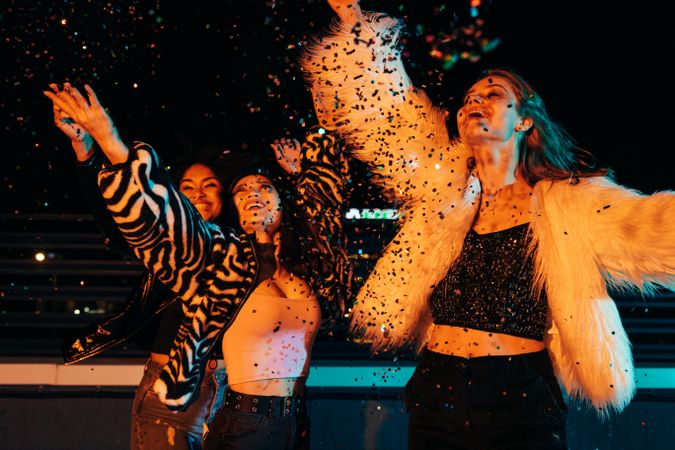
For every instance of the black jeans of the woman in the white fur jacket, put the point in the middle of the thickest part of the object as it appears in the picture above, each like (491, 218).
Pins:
(494, 402)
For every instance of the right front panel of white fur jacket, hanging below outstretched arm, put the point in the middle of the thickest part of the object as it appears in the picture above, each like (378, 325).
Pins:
(590, 350)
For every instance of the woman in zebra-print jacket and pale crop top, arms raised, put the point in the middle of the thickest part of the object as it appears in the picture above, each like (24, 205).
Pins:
(270, 325)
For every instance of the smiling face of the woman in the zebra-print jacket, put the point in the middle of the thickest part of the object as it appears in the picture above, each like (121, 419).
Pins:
(258, 204)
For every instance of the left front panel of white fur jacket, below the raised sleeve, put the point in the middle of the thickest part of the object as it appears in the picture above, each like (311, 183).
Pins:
(391, 309)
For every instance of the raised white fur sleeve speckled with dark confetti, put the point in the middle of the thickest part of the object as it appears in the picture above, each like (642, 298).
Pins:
(361, 89)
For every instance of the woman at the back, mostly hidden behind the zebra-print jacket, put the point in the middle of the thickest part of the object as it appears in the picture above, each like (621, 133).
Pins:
(151, 313)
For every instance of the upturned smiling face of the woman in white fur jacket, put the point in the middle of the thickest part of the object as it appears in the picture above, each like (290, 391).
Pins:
(490, 112)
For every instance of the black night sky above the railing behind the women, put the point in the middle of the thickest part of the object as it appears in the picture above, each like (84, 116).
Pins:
(226, 72)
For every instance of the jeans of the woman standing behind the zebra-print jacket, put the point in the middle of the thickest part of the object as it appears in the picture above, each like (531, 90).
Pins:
(155, 427)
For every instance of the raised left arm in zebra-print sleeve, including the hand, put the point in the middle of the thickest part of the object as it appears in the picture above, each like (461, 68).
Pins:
(165, 231)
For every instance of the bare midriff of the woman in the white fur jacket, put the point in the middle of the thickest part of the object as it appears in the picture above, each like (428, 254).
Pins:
(470, 343)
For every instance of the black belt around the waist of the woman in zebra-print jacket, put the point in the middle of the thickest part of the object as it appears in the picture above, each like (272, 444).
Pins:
(265, 405)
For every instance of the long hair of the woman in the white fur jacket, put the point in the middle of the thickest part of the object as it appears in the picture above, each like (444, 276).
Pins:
(548, 151)
